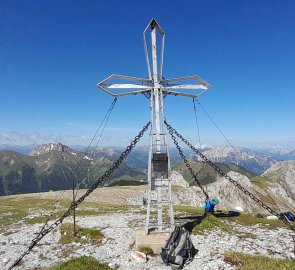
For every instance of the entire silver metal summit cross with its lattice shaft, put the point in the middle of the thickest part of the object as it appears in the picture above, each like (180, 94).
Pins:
(156, 87)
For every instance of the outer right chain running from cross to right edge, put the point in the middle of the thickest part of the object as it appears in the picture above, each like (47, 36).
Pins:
(222, 173)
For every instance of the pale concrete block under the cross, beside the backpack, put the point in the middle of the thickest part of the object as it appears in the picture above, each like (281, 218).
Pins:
(155, 240)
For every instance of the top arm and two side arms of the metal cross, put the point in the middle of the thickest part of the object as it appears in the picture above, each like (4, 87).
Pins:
(155, 78)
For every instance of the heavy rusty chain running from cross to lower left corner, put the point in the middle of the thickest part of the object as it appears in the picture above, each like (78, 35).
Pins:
(75, 204)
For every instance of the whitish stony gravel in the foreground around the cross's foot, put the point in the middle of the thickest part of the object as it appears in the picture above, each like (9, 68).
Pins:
(116, 249)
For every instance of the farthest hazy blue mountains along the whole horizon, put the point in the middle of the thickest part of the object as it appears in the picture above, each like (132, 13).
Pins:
(256, 160)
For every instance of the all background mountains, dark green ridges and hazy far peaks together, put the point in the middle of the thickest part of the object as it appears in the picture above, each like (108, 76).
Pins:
(54, 166)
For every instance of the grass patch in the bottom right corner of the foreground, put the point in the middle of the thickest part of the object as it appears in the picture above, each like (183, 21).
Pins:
(251, 262)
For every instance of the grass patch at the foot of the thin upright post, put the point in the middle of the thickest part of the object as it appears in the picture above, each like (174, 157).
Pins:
(83, 235)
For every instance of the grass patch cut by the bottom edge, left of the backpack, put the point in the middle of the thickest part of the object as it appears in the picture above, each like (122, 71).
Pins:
(82, 263)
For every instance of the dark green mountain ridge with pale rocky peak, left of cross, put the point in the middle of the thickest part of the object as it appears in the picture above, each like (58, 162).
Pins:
(54, 167)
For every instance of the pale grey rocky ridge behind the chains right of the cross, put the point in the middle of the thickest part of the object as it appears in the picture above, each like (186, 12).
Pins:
(231, 197)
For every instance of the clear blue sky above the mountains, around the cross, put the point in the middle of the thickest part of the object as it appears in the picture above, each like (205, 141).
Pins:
(53, 53)
